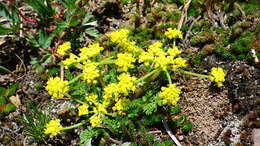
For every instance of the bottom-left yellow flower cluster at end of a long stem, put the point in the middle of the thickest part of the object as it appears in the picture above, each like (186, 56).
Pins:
(53, 128)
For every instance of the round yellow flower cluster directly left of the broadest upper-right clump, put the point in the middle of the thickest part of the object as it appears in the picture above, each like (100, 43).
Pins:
(125, 60)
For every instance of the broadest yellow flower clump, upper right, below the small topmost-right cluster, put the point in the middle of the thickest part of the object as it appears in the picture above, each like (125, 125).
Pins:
(162, 59)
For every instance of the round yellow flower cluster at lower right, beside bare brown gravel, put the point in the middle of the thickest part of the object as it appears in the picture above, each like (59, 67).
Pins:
(170, 95)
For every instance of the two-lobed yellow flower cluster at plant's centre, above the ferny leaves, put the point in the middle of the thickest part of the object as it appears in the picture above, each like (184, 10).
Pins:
(126, 84)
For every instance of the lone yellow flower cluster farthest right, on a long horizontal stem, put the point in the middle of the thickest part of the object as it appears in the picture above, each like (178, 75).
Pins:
(218, 76)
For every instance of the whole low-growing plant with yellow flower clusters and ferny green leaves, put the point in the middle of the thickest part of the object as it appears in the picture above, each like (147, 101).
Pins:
(122, 88)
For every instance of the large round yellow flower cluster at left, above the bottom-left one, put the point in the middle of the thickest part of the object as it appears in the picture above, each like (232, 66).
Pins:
(56, 87)
